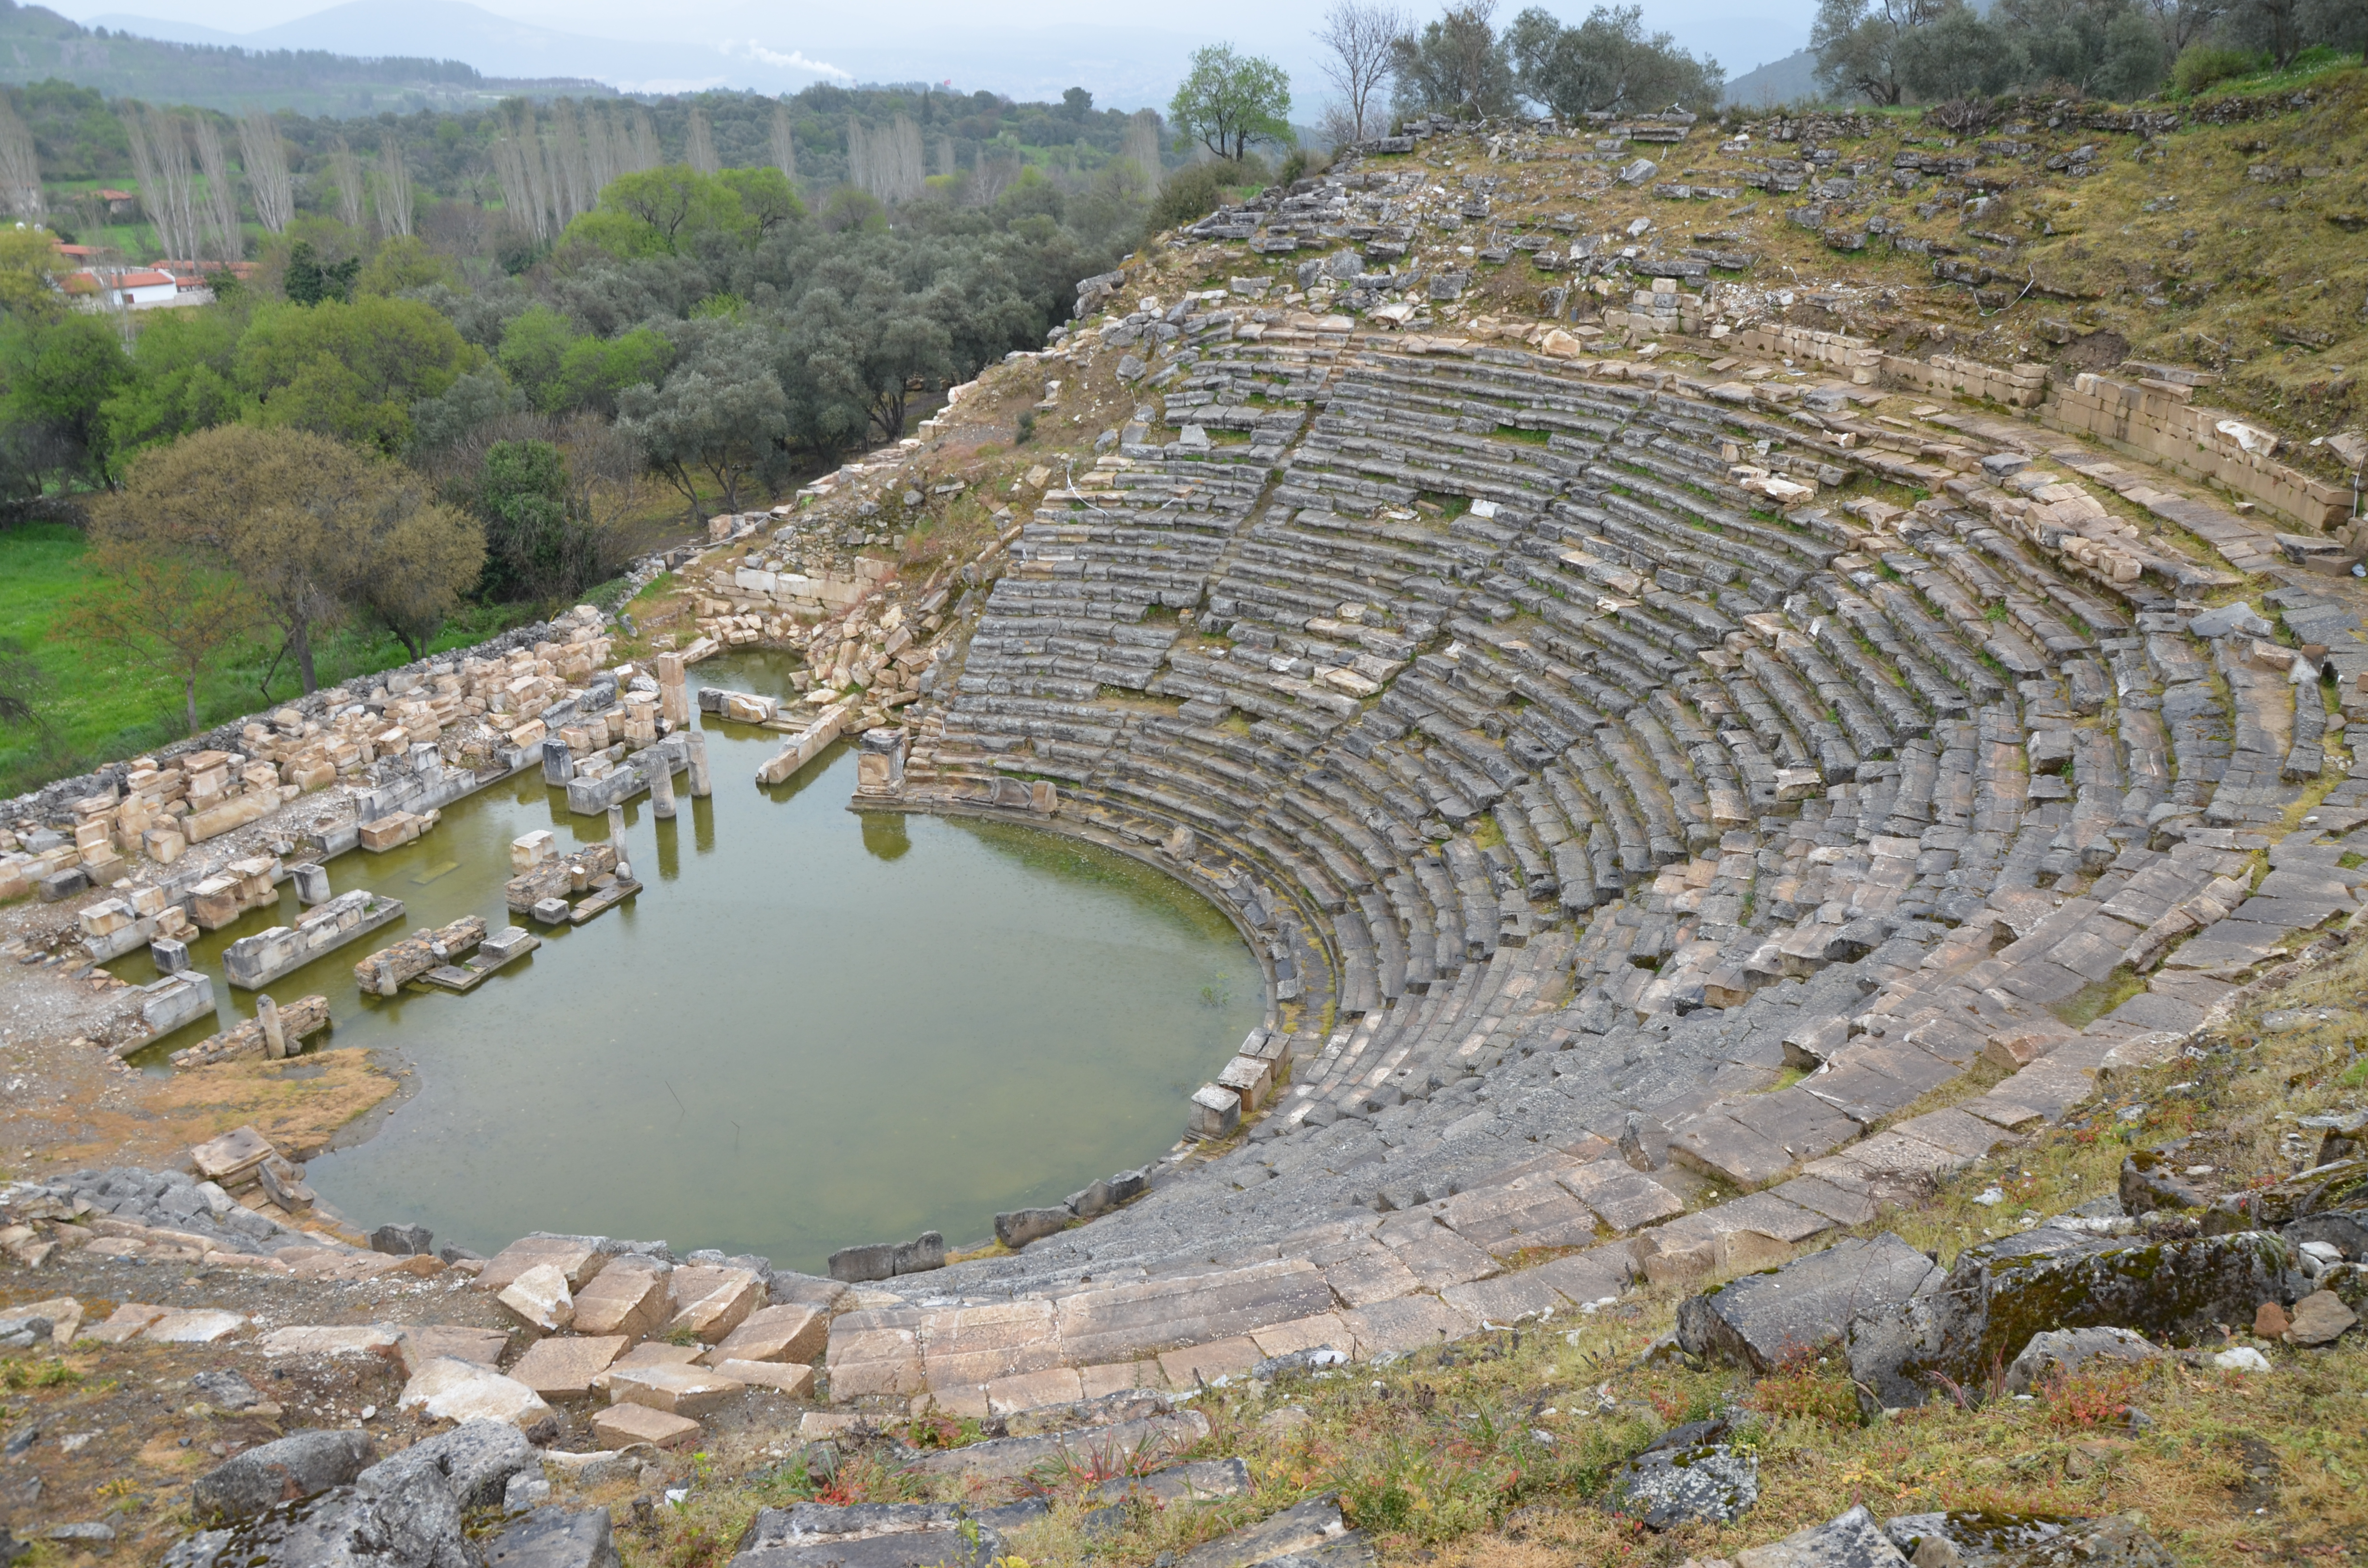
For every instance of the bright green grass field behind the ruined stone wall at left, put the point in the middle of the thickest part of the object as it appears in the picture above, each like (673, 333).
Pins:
(101, 702)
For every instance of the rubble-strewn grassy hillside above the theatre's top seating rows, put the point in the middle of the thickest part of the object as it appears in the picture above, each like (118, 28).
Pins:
(2080, 236)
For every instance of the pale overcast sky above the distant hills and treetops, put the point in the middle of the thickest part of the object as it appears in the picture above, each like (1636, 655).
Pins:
(1126, 58)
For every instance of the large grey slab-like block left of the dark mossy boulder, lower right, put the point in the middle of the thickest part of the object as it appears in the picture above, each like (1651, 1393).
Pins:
(1806, 1306)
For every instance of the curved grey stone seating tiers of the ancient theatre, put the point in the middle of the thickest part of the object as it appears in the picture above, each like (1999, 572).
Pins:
(1562, 788)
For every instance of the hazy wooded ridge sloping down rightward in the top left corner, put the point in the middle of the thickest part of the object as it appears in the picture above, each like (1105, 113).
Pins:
(37, 46)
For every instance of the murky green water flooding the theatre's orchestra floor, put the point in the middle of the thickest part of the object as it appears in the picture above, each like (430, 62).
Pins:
(809, 1029)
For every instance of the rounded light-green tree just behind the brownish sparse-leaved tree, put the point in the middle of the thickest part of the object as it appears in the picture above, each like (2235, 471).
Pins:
(349, 371)
